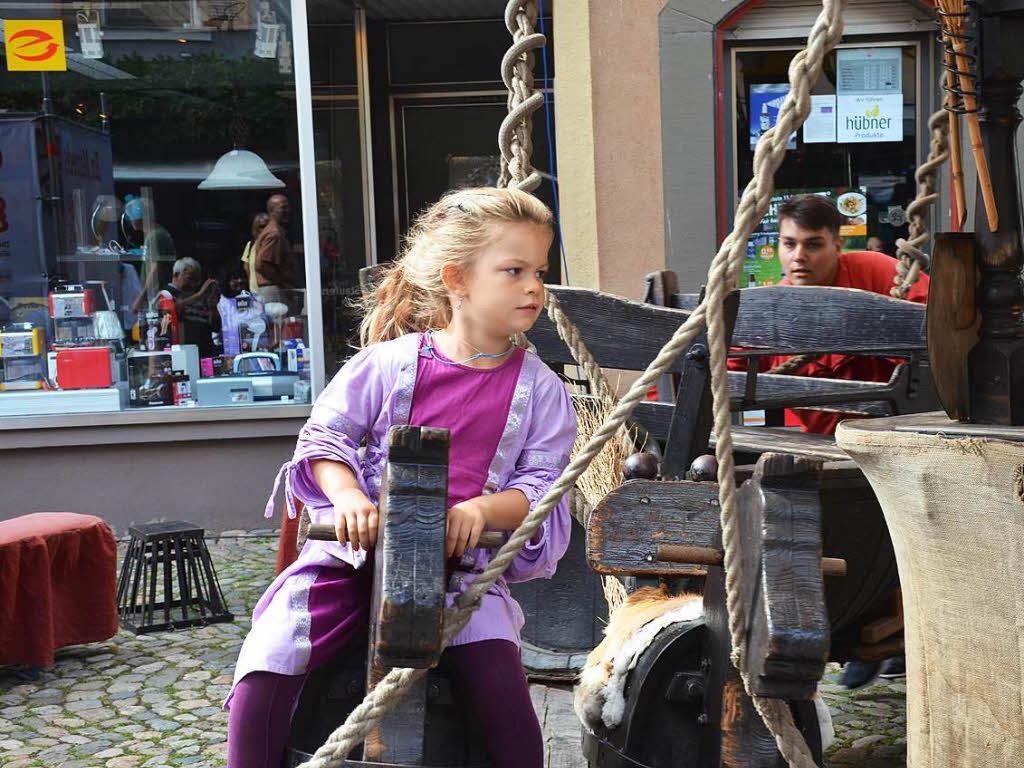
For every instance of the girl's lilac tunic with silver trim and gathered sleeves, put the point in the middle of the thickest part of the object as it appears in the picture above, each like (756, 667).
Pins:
(372, 393)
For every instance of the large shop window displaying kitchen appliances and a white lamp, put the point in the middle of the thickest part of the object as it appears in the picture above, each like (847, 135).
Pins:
(133, 272)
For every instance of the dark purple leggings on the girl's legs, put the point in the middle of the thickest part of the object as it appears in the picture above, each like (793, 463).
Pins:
(489, 675)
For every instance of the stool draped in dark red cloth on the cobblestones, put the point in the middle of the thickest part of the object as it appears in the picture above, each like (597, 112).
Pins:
(58, 585)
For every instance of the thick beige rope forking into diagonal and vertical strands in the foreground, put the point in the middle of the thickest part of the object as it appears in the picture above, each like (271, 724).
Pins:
(723, 276)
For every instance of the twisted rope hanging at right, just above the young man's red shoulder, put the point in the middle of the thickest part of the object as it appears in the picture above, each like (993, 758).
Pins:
(912, 259)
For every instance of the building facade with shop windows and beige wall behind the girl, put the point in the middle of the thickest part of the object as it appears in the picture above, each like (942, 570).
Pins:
(174, 124)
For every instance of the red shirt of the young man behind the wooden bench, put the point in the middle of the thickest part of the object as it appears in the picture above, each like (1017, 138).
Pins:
(869, 272)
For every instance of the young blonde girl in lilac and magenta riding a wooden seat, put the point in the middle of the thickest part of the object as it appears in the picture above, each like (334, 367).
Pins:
(437, 353)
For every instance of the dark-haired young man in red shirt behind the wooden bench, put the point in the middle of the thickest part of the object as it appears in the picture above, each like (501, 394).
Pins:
(810, 249)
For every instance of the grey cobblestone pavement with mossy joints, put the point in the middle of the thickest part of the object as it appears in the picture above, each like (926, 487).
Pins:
(154, 701)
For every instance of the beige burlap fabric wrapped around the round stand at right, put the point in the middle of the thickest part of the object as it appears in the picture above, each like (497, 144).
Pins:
(956, 513)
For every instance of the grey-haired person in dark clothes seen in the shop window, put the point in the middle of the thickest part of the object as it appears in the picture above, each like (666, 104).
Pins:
(192, 309)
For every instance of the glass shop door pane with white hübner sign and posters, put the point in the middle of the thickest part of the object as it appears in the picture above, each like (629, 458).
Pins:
(859, 147)
